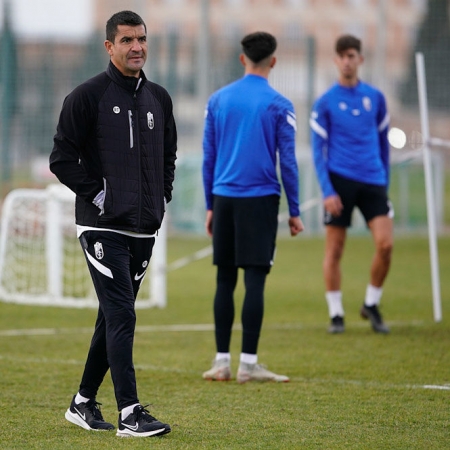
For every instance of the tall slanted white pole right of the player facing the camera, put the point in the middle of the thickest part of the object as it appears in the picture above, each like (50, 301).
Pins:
(431, 210)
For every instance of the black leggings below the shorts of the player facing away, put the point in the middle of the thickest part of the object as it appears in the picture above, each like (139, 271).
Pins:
(252, 308)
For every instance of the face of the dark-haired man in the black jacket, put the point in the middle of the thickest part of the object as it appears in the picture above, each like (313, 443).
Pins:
(128, 52)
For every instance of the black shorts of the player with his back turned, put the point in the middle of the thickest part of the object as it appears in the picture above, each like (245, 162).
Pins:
(244, 230)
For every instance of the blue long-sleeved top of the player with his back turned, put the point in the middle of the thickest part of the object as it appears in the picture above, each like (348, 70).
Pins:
(246, 122)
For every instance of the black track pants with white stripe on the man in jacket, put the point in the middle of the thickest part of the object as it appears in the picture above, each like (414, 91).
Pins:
(117, 264)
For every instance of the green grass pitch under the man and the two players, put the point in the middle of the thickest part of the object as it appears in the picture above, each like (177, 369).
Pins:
(358, 390)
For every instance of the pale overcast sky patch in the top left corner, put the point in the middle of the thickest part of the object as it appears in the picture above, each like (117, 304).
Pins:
(64, 19)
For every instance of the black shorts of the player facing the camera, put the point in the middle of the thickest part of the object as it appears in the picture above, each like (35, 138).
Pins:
(371, 199)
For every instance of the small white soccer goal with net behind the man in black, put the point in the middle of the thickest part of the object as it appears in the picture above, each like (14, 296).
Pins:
(41, 261)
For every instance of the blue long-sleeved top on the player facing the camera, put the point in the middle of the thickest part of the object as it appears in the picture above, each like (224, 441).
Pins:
(349, 127)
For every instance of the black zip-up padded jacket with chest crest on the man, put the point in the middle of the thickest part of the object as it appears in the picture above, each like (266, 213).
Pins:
(118, 134)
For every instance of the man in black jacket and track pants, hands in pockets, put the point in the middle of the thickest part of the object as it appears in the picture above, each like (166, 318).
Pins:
(115, 147)
